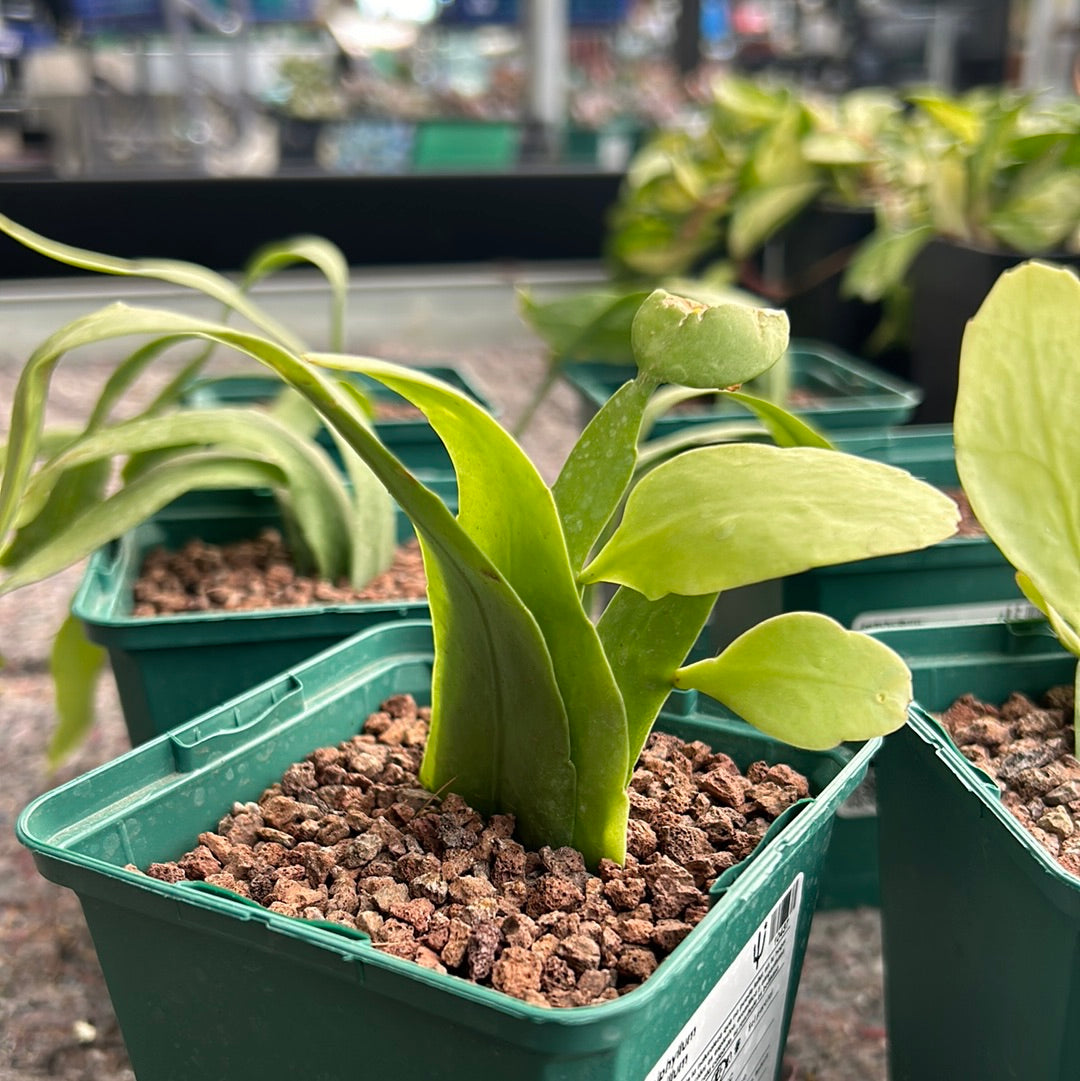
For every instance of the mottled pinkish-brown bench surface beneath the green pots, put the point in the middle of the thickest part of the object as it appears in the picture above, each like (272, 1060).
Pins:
(56, 1017)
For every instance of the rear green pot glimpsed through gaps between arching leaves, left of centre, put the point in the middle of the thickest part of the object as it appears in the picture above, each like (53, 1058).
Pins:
(411, 438)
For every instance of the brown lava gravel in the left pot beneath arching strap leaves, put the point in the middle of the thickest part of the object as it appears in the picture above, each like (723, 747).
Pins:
(259, 575)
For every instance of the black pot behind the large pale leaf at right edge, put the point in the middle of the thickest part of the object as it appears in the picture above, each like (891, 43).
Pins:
(949, 283)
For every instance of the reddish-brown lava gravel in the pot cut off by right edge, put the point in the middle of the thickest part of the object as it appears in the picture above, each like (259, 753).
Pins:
(1029, 750)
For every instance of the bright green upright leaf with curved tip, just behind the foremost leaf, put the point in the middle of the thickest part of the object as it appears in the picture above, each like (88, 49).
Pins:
(509, 512)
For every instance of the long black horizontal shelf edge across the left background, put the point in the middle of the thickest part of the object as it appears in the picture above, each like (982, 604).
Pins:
(378, 221)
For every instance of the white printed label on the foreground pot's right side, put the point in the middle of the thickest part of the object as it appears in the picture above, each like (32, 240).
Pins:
(737, 1034)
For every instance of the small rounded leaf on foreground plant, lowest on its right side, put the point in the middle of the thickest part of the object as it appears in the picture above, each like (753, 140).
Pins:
(803, 678)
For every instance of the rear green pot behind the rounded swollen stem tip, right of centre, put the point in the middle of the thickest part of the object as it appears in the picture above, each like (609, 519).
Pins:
(833, 391)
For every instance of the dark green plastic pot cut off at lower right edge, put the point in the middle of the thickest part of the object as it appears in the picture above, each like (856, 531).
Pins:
(982, 927)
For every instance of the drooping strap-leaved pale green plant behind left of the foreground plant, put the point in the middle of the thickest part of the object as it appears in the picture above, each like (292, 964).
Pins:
(59, 503)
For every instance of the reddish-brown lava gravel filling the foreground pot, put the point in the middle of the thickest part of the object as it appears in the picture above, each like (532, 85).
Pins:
(350, 836)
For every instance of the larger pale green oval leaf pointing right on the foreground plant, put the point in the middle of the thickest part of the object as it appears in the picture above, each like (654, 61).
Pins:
(734, 515)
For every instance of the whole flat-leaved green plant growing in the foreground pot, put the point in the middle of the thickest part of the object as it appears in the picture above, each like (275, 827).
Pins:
(538, 710)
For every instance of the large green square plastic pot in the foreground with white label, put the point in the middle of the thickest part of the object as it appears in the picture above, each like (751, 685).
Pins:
(206, 986)
